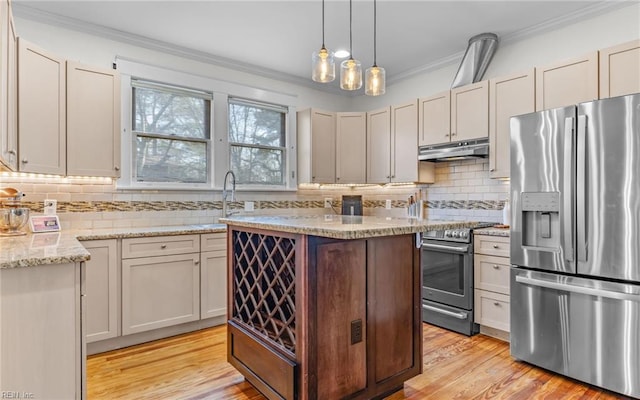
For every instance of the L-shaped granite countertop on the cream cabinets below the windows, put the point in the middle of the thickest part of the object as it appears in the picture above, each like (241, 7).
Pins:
(64, 246)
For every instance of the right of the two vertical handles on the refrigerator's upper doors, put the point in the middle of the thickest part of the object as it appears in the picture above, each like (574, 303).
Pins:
(581, 193)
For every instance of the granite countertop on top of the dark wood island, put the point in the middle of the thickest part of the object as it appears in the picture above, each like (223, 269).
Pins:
(344, 227)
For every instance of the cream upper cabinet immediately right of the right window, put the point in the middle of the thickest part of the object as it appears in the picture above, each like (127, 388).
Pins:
(316, 146)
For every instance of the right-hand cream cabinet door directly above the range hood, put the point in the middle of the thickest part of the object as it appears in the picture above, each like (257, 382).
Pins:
(470, 111)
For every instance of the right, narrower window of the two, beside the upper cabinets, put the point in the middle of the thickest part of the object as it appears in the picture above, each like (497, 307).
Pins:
(257, 142)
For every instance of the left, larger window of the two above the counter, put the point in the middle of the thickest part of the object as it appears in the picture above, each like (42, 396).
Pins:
(171, 134)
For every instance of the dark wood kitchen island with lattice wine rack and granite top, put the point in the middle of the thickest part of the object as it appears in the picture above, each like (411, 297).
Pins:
(325, 307)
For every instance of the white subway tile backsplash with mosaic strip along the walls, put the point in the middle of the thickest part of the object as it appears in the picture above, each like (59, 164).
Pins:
(463, 191)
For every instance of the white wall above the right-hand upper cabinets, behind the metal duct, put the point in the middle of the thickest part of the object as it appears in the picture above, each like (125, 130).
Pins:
(618, 26)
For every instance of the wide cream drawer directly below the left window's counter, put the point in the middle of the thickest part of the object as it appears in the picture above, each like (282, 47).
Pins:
(160, 246)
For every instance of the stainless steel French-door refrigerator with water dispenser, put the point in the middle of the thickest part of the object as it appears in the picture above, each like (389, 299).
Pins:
(575, 241)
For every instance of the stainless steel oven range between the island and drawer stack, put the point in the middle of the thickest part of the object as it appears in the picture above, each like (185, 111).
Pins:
(447, 280)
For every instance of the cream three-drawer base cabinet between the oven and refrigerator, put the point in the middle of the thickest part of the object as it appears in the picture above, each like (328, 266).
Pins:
(491, 285)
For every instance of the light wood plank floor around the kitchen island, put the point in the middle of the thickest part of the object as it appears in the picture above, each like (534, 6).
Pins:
(193, 366)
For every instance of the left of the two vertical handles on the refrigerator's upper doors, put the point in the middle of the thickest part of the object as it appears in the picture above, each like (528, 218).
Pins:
(569, 189)
